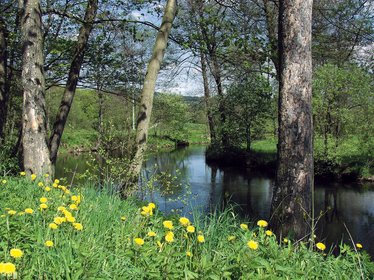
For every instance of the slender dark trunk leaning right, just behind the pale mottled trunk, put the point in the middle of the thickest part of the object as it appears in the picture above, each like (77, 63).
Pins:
(73, 76)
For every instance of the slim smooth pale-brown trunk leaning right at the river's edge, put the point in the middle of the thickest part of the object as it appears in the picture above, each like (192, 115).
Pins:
(146, 100)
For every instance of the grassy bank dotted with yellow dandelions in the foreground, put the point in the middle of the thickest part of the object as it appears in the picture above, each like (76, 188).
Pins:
(83, 234)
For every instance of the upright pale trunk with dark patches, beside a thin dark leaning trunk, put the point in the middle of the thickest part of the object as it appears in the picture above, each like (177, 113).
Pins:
(34, 129)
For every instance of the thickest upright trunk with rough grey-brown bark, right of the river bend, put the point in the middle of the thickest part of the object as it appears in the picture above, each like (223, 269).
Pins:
(292, 203)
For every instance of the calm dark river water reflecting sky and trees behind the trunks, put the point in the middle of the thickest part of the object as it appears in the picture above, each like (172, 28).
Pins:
(199, 186)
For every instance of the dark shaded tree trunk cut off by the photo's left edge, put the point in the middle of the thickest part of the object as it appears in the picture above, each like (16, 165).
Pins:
(3, 78)
